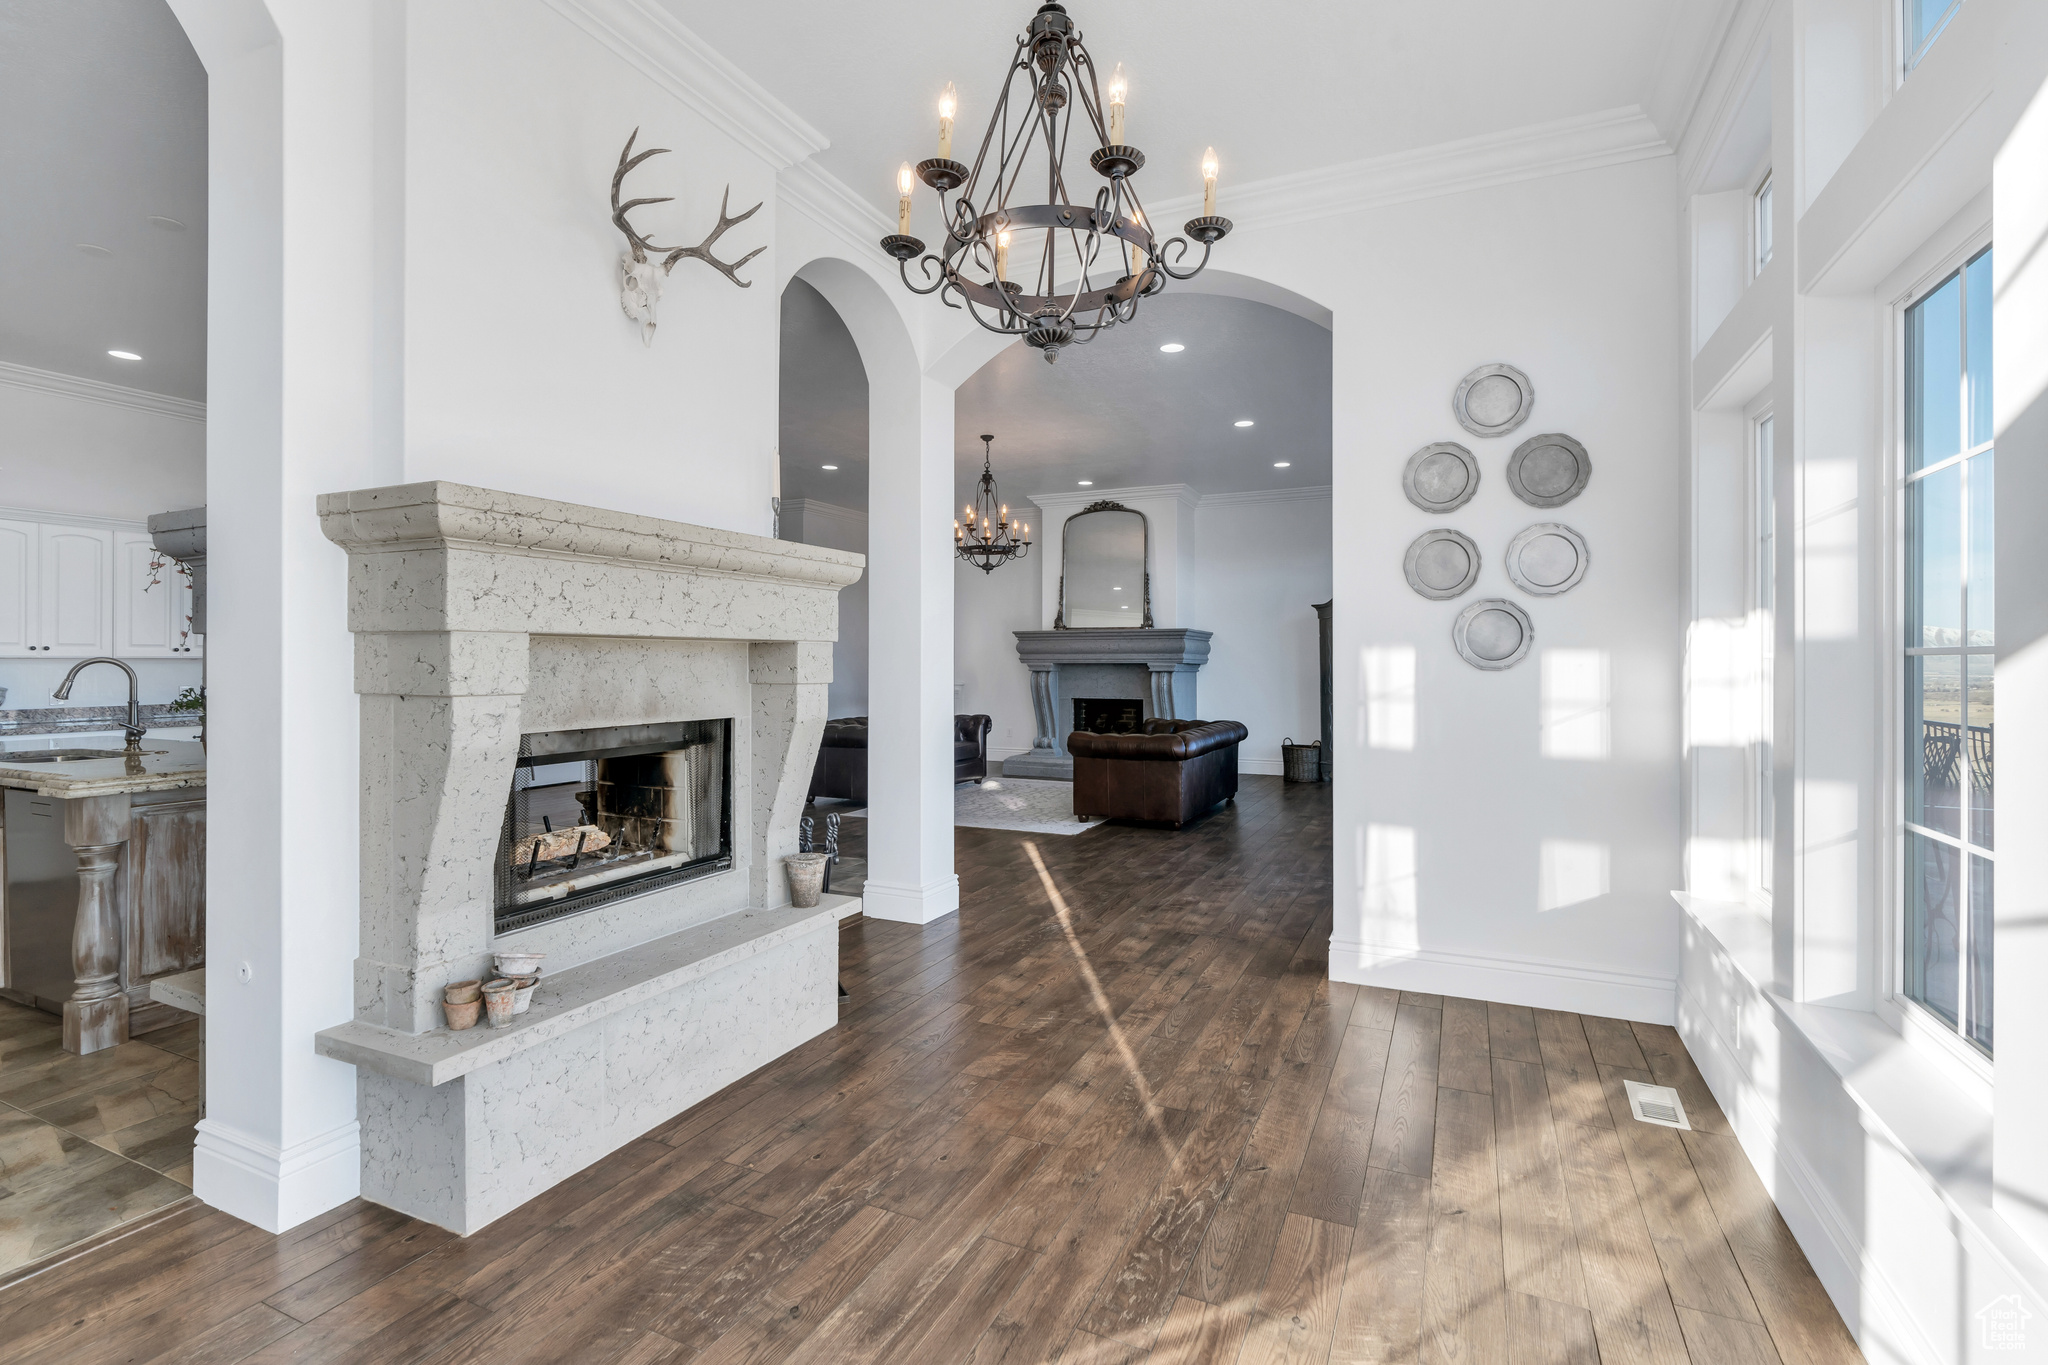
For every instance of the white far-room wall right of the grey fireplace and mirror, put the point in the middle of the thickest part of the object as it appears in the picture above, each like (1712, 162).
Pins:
(1256, 570)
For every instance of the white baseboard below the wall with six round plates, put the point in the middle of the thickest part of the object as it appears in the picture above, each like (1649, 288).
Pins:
(1512, 981)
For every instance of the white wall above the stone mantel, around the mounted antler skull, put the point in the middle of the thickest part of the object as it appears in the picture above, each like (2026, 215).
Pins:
(521, 371)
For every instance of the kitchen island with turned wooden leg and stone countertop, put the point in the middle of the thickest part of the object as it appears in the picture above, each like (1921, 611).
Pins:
(103, 883)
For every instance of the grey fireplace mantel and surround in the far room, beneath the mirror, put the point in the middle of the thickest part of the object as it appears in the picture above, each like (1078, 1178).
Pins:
(1152, 668)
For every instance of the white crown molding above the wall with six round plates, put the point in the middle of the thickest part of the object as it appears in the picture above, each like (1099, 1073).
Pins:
(1609, 138)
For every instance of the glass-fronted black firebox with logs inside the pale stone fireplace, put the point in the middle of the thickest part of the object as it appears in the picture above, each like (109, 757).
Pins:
(611, 813)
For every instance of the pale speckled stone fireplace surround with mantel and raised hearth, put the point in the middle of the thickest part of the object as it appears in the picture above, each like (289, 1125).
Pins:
(482, 617)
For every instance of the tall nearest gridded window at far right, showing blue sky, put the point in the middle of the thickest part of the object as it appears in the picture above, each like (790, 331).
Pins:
(1949, 654)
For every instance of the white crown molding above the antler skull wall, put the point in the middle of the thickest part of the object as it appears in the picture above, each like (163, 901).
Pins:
(658, 46)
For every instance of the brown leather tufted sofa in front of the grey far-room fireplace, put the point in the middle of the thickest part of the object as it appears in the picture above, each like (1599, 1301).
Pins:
(1172, 773)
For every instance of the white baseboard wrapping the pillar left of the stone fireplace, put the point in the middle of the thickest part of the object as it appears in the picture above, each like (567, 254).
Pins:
(269, 1186)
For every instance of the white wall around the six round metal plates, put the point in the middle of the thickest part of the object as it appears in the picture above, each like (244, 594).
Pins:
(1512, 836)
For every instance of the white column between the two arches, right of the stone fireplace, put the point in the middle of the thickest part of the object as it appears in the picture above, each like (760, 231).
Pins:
(910, 650)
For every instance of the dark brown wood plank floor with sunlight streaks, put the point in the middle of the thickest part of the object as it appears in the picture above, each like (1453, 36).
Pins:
(1113, 1112)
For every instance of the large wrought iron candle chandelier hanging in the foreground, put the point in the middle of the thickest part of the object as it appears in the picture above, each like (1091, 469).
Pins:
(1111, 255)
